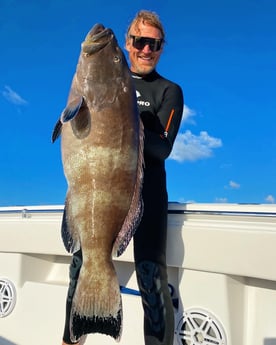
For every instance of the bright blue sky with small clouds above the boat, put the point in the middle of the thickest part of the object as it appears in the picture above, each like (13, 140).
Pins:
(221, 52)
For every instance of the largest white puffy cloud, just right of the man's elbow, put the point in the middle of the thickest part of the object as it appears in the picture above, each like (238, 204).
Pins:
(190, 147)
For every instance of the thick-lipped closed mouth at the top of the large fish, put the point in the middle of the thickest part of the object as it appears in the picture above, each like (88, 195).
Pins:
(96, 39)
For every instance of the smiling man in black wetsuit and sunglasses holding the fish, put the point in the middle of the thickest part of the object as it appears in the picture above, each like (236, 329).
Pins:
(160, 104)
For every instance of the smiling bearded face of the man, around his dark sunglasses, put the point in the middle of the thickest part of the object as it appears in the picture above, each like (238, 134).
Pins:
(143, 60)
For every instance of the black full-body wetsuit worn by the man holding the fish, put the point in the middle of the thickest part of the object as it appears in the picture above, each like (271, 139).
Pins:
(160, 104)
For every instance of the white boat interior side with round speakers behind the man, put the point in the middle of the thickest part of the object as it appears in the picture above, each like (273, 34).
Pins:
(221, 271)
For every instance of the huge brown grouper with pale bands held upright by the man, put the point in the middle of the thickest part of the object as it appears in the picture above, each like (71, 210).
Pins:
(102, 155)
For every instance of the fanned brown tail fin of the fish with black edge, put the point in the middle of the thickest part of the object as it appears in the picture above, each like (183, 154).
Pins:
(97, 305)
